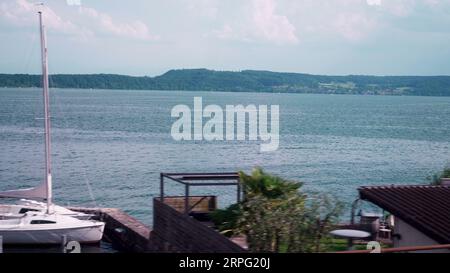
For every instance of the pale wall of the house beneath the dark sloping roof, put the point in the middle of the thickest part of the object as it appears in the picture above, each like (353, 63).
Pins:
(412, 237)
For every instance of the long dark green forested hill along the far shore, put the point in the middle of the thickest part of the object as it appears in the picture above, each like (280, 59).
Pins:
(244, 81)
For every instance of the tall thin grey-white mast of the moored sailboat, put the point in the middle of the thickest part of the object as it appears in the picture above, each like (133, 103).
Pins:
(45, 85)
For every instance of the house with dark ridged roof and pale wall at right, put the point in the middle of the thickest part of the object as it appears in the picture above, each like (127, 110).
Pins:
(421, 213)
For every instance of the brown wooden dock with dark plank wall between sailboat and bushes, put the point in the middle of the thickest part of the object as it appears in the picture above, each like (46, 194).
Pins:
(173, 231)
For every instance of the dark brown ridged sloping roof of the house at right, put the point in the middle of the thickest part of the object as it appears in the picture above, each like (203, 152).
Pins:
(426, 208)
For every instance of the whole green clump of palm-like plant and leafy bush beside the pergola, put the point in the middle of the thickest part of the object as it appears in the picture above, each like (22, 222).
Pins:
(276, 217)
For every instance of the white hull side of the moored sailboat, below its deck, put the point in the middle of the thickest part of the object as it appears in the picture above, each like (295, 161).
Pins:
(90, 234)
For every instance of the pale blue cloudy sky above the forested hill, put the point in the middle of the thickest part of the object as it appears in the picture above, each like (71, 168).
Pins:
(150, 37)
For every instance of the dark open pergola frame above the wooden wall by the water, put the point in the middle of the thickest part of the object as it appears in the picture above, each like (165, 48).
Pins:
(187, 179)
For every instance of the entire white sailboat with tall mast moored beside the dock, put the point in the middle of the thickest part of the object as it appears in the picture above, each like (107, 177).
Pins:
(32, 221)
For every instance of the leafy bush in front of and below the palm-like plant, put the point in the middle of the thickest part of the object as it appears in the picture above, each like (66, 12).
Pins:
(290, 224)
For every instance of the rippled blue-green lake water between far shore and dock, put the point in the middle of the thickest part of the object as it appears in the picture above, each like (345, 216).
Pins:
(110, 146)
